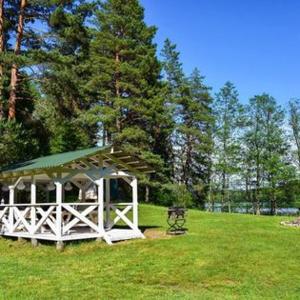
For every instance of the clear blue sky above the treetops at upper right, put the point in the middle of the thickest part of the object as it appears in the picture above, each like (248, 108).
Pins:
(255, 44)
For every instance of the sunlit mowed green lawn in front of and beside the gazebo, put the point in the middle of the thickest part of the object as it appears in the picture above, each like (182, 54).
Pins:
(223, 256)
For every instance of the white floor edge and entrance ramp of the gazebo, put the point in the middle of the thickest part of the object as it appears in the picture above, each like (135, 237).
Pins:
(114, 235)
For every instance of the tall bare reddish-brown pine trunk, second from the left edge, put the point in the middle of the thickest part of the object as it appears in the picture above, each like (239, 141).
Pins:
(14, 70)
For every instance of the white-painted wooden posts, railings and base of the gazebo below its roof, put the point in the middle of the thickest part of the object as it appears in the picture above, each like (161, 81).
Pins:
(38, 222)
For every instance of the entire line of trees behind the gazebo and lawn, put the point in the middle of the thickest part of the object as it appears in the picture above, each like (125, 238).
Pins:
(79, 73)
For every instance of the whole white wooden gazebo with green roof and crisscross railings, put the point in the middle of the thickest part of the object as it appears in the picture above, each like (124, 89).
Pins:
(35, 204)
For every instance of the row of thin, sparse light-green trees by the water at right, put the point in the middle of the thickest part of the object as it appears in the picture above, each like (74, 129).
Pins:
(256, 153)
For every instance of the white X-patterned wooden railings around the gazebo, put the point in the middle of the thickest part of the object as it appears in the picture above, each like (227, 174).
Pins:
(60, 220)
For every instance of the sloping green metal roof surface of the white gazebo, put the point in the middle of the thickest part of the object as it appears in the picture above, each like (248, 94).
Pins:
(51, 161)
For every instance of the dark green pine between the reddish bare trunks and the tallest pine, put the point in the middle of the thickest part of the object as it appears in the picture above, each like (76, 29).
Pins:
(64, 74)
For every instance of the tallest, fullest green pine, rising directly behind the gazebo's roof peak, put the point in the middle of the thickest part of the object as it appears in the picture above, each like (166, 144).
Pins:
(125, 83)
